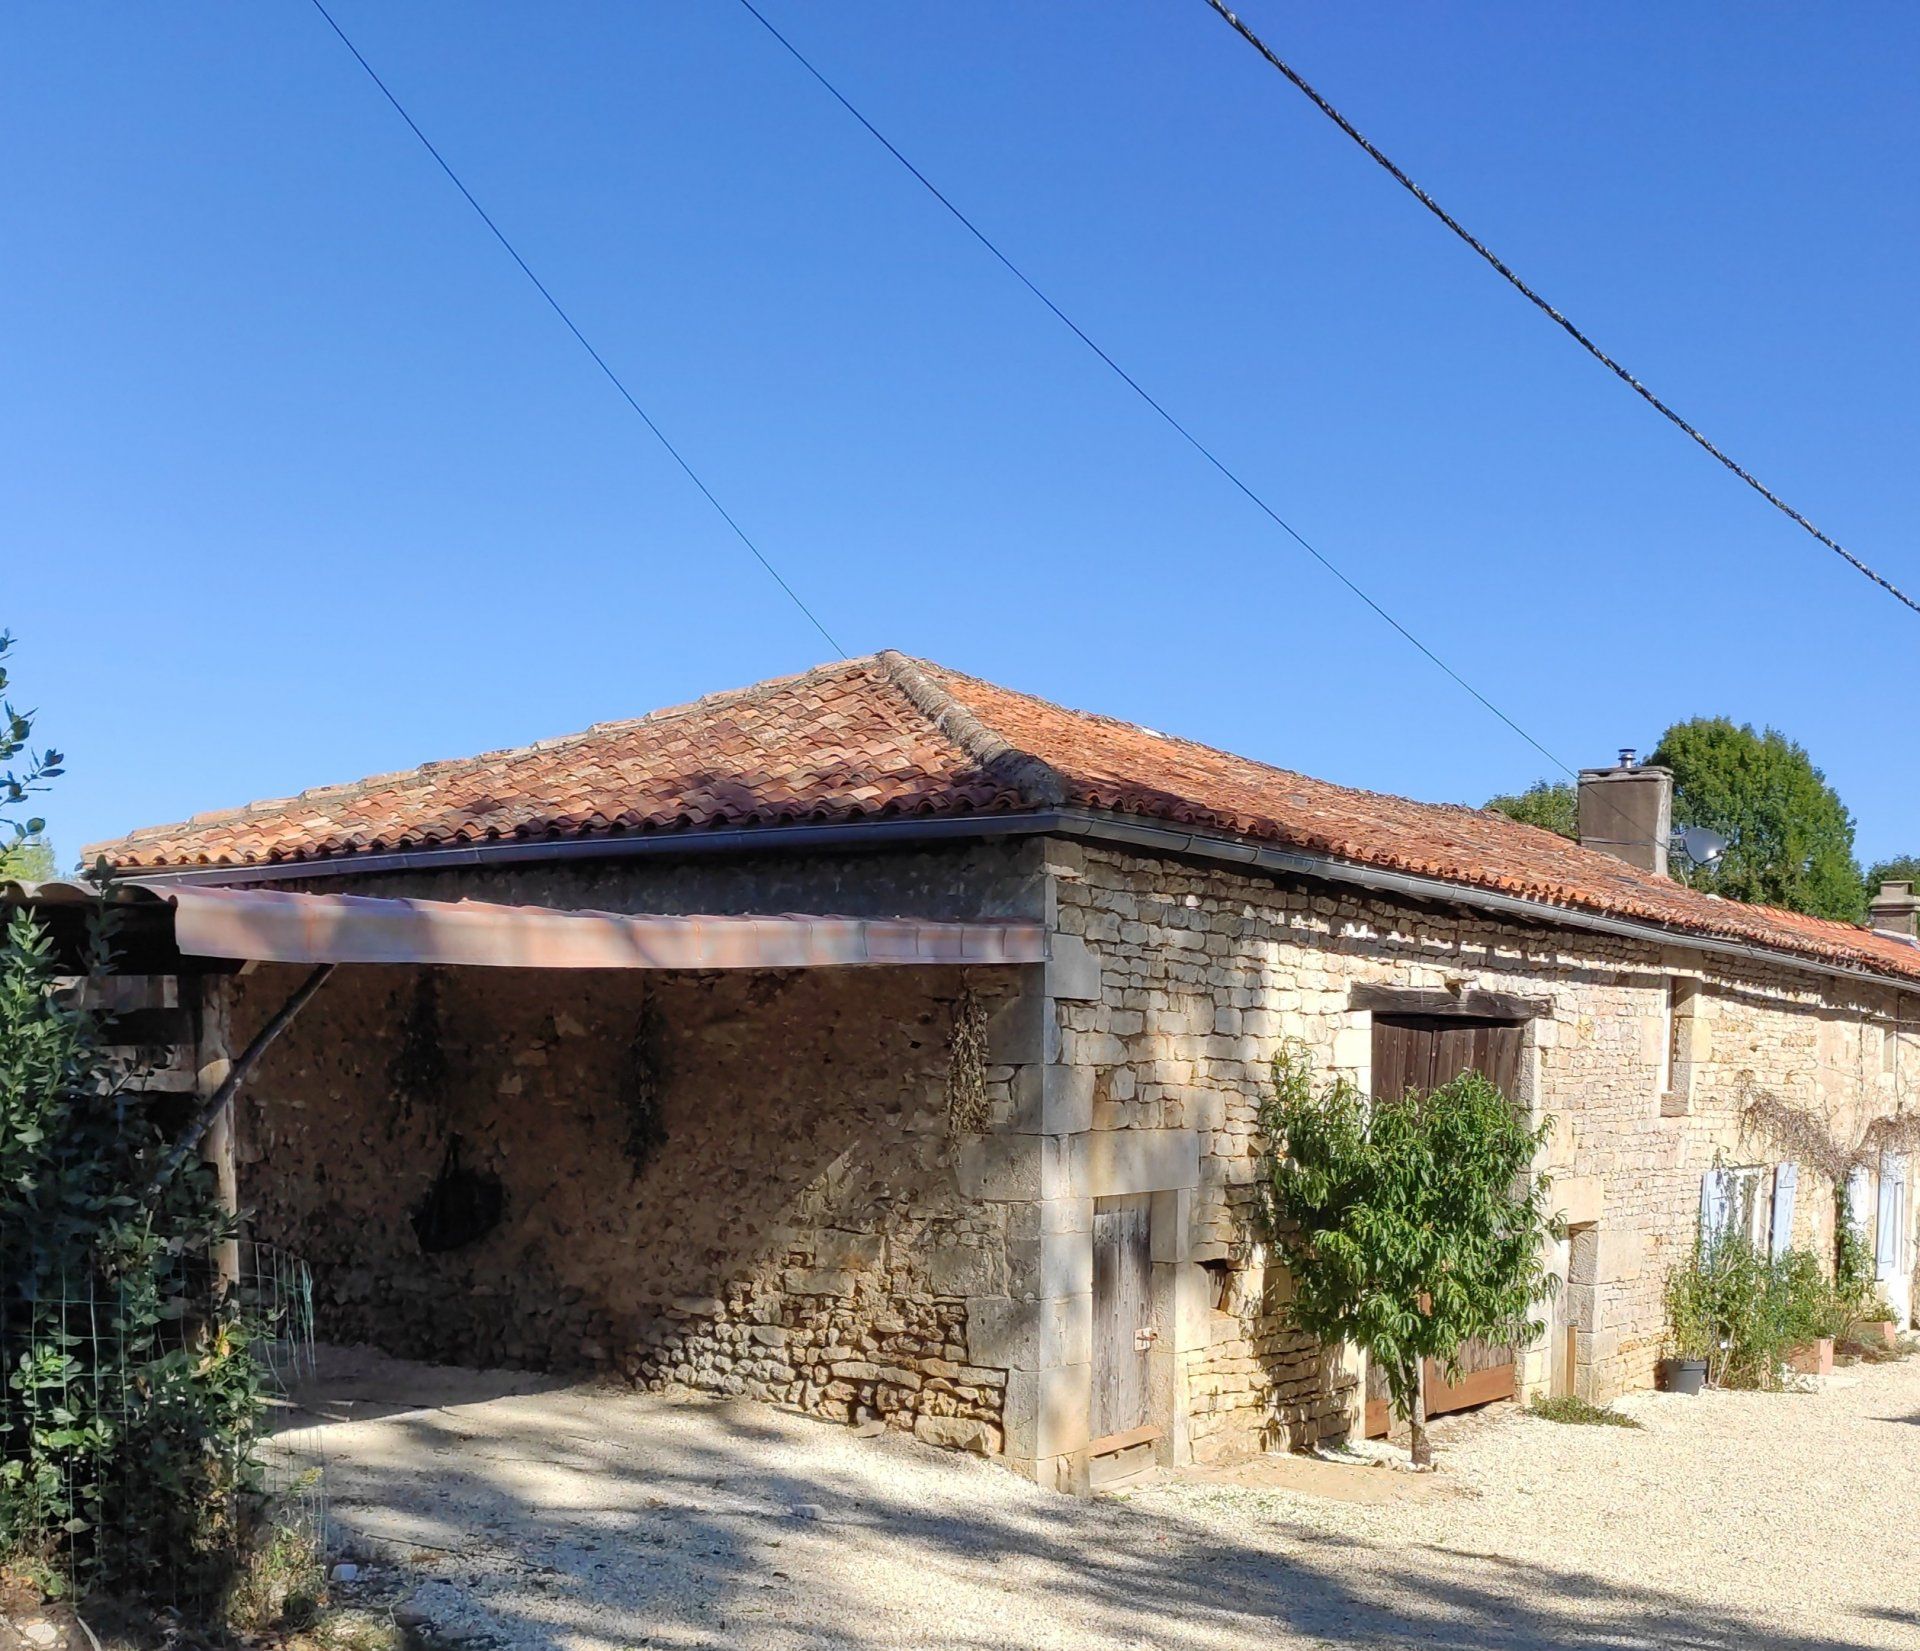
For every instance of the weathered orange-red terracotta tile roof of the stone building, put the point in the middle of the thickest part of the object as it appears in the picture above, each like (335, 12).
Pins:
(892, 738)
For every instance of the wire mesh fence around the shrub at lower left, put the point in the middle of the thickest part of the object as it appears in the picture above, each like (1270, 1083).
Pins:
(149, 1443)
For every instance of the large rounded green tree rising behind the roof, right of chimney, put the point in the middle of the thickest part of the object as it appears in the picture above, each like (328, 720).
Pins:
(1790, 838)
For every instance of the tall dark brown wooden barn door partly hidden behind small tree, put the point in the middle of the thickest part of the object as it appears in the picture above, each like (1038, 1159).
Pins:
(1424, 1053)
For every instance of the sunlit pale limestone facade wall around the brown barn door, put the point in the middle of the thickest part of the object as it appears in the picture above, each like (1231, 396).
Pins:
(1203, 972)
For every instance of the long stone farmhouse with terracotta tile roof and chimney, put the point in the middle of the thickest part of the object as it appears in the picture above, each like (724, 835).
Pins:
(999, 1195)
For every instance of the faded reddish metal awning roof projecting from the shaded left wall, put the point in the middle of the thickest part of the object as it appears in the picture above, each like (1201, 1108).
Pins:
(210, 928)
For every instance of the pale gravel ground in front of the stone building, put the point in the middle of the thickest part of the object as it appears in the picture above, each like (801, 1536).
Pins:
(517, 1514)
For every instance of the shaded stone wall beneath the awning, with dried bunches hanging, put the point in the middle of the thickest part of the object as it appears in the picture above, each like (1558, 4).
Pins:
(800, 1233)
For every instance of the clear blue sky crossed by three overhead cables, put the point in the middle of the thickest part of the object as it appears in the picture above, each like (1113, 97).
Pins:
(302, 483)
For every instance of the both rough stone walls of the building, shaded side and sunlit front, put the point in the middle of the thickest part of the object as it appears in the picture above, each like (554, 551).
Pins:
(815, 1233)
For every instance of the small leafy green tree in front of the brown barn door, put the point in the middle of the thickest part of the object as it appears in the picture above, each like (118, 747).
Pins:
(1408, 1226)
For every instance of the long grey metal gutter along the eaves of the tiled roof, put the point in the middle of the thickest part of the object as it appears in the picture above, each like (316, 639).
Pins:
(1055, 823)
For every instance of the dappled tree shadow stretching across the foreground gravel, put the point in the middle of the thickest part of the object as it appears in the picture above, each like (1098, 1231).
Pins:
(556, 1531)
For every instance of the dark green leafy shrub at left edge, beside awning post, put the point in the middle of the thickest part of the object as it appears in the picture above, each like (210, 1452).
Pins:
(130, 1391)
